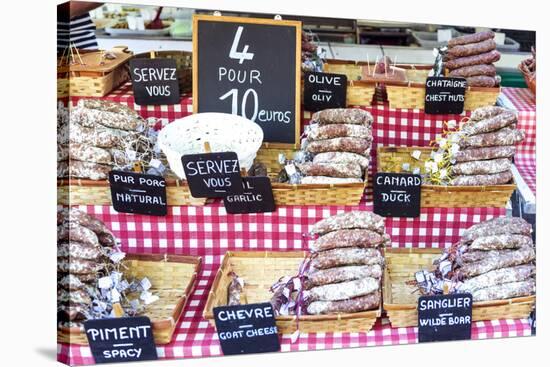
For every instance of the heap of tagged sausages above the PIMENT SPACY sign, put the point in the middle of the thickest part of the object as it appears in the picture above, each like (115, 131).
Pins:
(90, 282)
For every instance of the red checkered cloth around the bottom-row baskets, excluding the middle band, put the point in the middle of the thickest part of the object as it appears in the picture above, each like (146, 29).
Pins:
(195, 337)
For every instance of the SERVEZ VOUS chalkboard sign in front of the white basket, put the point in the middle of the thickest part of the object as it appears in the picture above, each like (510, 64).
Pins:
(212, 175)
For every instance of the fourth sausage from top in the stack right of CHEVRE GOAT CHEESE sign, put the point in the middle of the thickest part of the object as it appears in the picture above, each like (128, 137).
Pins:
(342, 274)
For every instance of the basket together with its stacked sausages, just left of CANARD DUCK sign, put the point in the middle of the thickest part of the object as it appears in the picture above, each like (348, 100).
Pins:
(331, 168)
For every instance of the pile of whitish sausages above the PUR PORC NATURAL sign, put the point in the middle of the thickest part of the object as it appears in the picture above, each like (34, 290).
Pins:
(96, 137)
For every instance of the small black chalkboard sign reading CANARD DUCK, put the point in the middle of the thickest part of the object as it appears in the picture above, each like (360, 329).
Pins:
(397, 194)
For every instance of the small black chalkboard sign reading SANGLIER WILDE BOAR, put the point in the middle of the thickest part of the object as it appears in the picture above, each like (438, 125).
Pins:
(445, 317)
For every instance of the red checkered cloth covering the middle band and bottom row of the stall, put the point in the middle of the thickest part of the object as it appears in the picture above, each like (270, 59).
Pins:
(209, 232)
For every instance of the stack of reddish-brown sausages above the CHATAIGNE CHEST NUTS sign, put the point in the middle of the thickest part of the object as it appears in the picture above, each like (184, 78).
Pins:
(472, 57)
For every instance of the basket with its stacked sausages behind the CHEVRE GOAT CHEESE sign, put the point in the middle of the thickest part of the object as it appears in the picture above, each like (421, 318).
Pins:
(335, 287)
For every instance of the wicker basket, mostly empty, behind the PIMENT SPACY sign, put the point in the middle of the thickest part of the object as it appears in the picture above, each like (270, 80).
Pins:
(172, 278)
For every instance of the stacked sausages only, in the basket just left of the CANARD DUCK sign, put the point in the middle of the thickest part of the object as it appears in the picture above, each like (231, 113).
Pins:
(338, 143)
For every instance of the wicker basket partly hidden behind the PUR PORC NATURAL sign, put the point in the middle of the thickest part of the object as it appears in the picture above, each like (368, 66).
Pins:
(90, 192)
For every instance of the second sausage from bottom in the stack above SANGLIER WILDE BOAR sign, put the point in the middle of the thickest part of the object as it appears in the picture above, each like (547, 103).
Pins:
(499, 276)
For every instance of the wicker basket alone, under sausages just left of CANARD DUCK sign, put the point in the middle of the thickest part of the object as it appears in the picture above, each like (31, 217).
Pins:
(307, 194)
